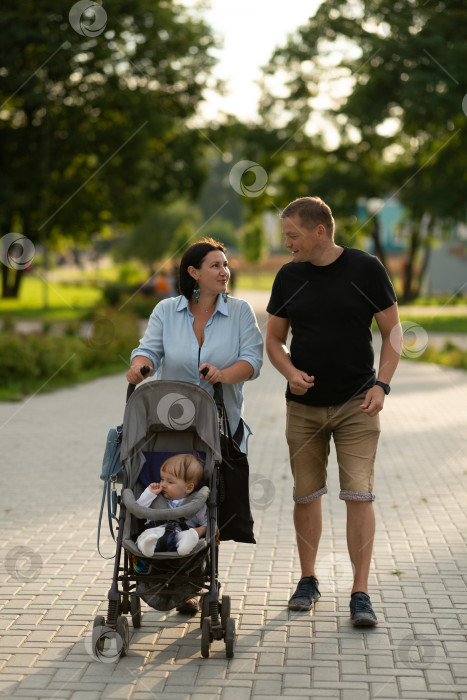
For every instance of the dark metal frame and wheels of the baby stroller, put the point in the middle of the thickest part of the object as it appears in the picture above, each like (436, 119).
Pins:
(216, 622)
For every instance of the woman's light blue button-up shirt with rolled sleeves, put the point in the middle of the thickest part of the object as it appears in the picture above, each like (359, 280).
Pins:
(231, 334)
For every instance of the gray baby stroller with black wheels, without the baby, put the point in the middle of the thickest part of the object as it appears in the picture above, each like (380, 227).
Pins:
(163, 418)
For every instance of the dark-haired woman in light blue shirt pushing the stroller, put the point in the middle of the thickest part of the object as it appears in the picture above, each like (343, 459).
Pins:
(204, 328)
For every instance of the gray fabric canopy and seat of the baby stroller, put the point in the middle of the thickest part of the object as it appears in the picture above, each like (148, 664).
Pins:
(161, 417)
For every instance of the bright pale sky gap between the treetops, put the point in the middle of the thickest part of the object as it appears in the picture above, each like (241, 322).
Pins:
(251, 30)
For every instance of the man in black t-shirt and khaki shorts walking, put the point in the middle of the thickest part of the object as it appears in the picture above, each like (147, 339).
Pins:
(328, 296)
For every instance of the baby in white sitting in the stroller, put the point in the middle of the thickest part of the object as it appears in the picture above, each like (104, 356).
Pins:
(180, 475)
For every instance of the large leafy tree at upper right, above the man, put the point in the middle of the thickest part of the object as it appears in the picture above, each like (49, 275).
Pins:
(401, 127)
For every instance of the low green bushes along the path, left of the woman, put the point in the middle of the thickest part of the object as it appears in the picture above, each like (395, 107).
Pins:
(42, 362)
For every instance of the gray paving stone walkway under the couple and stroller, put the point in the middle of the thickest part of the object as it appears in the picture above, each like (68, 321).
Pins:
(53, 582)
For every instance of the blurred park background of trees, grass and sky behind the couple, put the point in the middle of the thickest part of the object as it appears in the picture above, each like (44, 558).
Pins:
(131, 129)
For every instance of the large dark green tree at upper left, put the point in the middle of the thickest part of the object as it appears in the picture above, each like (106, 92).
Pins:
(93, 126)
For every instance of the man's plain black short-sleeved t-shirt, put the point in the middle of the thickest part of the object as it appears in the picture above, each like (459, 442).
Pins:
(330, 309)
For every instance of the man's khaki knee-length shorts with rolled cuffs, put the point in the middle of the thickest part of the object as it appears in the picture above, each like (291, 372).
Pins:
(309, 430)
